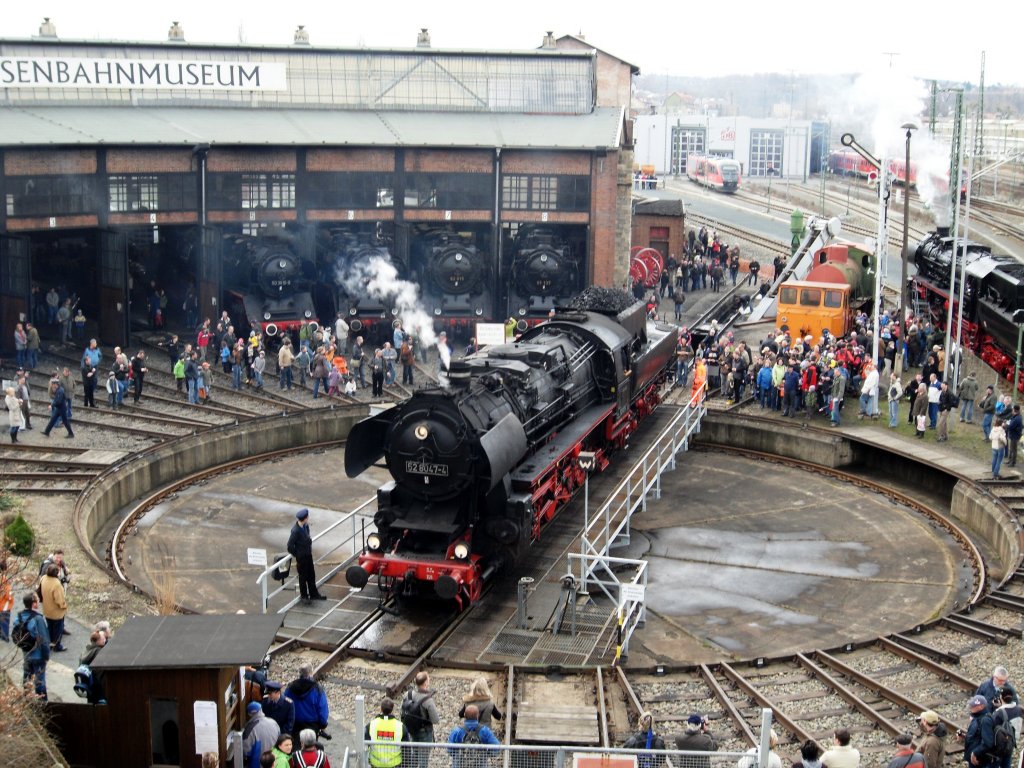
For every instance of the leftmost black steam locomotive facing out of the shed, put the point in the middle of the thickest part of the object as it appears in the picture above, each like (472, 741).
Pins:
(274, 285)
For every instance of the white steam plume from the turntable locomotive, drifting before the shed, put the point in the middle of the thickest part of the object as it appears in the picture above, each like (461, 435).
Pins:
(378, 280)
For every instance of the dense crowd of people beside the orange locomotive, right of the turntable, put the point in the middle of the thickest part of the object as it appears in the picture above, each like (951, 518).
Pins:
(825, 377)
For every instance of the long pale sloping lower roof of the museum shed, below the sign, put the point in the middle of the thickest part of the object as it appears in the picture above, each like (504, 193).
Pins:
(46, 126)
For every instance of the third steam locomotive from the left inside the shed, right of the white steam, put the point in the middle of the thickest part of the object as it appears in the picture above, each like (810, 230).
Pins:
(455, 279)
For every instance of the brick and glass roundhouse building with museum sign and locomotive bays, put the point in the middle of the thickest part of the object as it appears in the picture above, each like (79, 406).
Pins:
(196, 179)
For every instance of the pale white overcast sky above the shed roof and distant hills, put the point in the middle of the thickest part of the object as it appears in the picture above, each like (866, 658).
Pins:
(942, 40)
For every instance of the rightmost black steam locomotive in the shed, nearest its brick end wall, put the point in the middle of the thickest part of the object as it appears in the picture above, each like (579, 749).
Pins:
(544, 274)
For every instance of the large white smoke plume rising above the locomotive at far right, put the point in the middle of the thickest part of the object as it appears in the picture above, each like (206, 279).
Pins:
(875, 109)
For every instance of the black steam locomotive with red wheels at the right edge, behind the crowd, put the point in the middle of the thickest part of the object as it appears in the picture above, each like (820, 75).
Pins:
(994, 291)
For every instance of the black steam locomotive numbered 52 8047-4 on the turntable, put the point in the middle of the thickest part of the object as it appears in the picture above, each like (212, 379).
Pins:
(481, 468)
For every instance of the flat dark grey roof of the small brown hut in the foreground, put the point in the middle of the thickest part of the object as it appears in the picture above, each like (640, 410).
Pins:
(165, 643)
